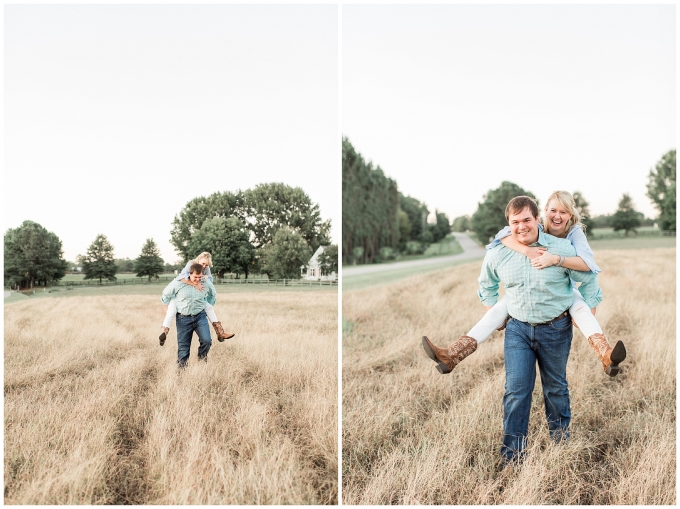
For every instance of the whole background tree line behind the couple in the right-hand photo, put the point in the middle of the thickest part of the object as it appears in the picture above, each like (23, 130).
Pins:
(378, 220)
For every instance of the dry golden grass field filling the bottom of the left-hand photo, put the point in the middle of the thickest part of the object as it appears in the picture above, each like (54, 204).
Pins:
(97, 413)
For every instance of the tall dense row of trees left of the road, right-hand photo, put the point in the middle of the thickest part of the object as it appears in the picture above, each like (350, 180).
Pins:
(378, 221)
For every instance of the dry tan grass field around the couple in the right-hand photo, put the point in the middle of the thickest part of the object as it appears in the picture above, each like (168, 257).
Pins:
(413, 436)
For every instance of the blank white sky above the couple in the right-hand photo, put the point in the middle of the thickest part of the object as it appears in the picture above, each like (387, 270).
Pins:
(451, 100)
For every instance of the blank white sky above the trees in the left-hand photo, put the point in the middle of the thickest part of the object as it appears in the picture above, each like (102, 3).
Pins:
(116, 116)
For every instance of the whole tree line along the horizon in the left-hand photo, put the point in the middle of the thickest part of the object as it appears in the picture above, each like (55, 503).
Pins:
(273, 229)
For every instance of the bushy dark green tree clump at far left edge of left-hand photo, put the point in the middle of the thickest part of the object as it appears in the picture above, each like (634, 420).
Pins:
(32, 254)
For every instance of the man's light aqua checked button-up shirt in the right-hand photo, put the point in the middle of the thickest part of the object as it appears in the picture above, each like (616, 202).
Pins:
(533, 295)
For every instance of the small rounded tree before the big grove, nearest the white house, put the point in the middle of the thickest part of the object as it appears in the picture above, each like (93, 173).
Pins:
(286, 254)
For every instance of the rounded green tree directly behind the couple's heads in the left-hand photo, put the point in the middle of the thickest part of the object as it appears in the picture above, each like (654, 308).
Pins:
(228, 241)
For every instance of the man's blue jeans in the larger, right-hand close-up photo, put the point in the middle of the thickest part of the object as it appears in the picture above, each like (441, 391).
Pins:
(548, 344)
